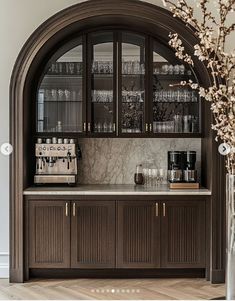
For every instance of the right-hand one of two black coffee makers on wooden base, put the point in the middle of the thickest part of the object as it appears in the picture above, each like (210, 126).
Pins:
(188, 164)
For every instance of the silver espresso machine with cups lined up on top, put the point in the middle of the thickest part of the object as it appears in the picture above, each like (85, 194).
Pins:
(56, 161)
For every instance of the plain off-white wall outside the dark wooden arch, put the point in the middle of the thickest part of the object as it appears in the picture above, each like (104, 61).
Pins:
(18, 19)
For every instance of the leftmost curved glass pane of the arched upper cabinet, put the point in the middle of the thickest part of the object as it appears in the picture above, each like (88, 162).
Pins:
(60, 94)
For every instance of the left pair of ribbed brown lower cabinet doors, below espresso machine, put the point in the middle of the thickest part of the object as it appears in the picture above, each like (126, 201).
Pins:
(66, 234)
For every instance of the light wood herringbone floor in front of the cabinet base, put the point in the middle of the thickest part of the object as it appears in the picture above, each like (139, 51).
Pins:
(132, 289)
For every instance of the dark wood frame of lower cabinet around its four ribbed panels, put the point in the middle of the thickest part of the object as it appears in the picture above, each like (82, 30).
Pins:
(116, 203)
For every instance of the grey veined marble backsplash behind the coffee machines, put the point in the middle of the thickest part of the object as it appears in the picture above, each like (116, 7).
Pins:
(114, 160)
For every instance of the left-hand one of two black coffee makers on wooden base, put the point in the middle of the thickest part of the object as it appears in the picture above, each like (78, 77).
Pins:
(175, 174)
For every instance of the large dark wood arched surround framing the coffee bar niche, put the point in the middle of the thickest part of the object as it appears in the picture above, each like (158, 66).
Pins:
(147, 18)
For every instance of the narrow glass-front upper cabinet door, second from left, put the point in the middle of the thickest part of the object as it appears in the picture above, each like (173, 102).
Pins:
(101, 85)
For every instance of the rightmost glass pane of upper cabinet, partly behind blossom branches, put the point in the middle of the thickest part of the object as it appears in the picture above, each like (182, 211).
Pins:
(175, 108)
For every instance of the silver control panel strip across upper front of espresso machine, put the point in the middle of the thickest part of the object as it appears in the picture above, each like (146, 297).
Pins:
(55, 150)
